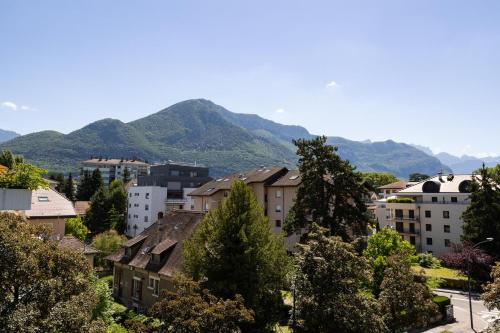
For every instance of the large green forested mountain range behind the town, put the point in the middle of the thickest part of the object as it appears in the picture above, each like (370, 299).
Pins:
(199, 130)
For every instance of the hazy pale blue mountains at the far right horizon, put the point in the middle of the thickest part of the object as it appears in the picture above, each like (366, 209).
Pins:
(464, 164)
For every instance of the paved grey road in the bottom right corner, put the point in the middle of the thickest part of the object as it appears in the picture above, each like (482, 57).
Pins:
(460, 302)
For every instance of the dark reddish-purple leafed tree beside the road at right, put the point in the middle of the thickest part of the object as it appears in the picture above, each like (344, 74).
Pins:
(460, 254)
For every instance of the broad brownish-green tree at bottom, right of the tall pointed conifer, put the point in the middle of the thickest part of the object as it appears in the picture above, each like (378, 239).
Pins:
(329, 281)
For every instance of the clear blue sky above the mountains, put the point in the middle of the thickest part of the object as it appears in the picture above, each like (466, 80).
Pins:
(425, 71)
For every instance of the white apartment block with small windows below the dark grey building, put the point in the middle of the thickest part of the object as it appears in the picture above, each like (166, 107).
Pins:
(144, 204)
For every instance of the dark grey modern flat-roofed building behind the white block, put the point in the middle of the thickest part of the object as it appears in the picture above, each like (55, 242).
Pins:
(176, 176)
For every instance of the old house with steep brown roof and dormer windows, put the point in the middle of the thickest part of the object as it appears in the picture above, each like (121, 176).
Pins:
(146, 263)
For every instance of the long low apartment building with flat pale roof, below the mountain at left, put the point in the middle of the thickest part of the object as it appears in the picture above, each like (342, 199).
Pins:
(112, 168)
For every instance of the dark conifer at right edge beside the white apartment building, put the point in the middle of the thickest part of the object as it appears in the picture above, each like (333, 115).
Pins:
(482, 215)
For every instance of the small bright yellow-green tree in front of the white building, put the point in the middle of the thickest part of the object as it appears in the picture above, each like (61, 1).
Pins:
(381, 246)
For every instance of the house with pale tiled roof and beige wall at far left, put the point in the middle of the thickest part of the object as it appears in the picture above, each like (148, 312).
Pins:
(51, 208)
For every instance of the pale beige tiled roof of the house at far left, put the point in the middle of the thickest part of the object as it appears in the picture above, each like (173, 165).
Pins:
(47, 203)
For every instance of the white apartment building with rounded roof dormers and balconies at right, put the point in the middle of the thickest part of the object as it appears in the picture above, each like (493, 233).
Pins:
(428, 214)
